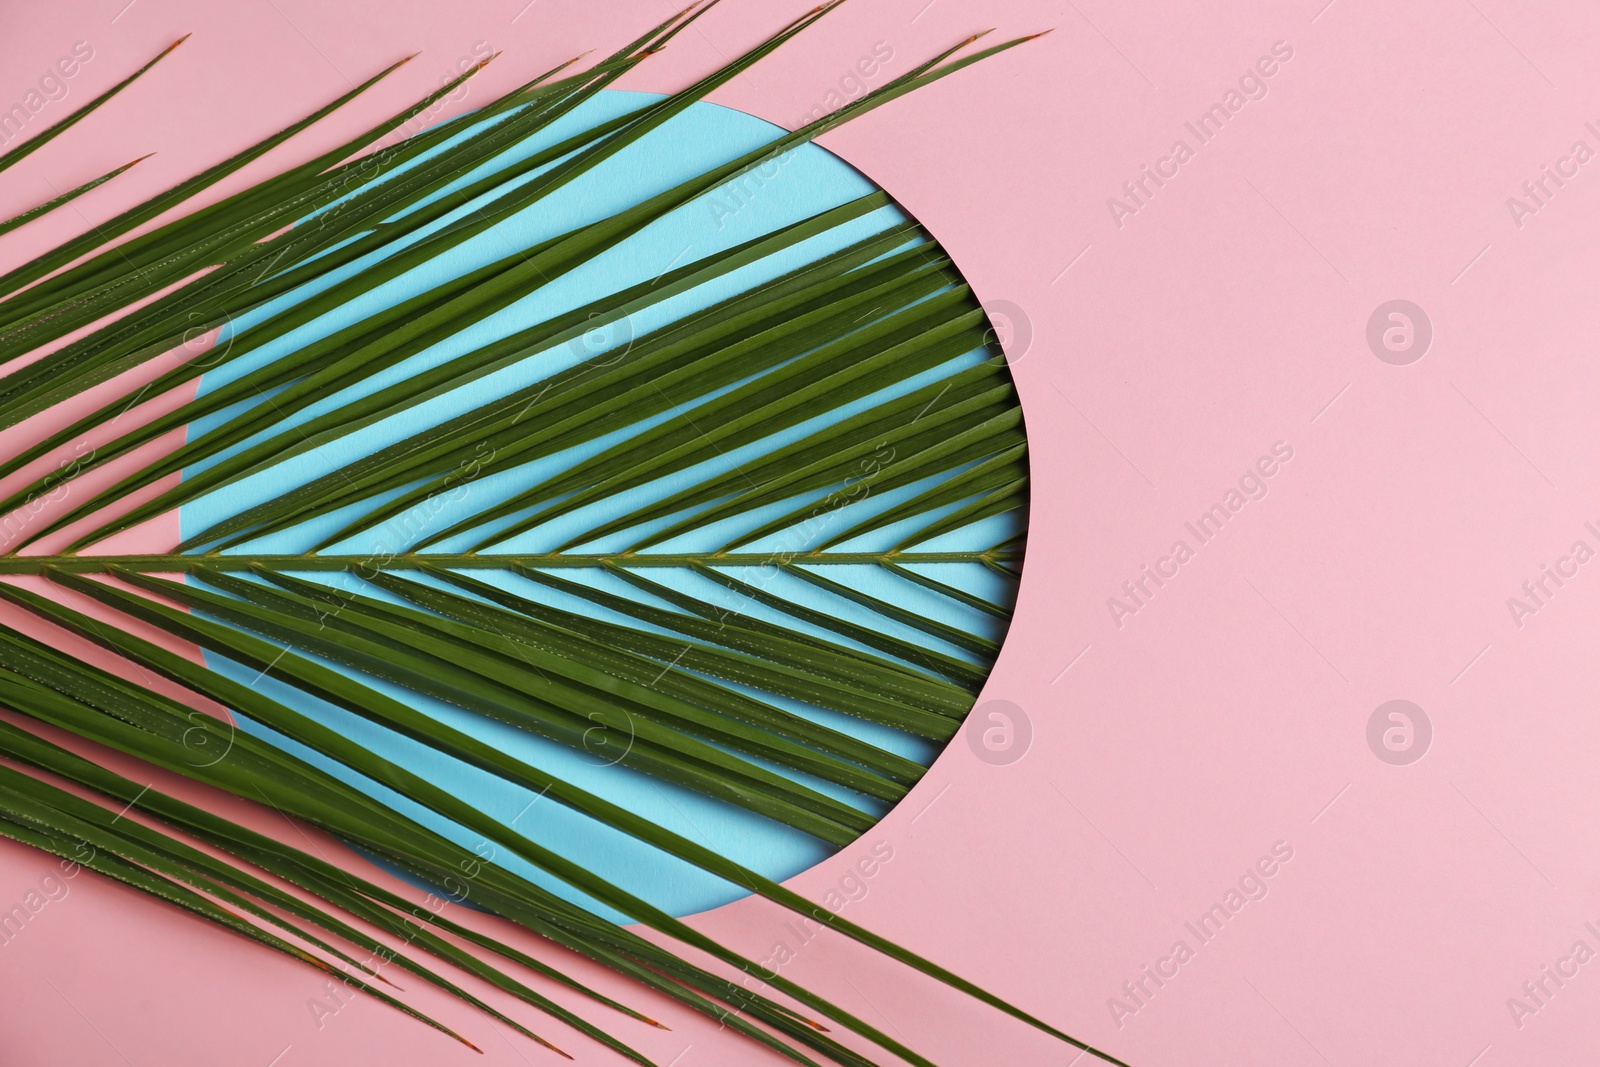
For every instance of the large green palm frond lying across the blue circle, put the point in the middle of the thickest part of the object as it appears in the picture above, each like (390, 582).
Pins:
(706, 553)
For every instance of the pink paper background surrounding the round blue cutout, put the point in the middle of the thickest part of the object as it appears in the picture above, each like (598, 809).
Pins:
(1231, 713)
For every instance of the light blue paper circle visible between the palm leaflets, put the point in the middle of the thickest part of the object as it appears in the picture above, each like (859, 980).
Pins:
(802, 183)
